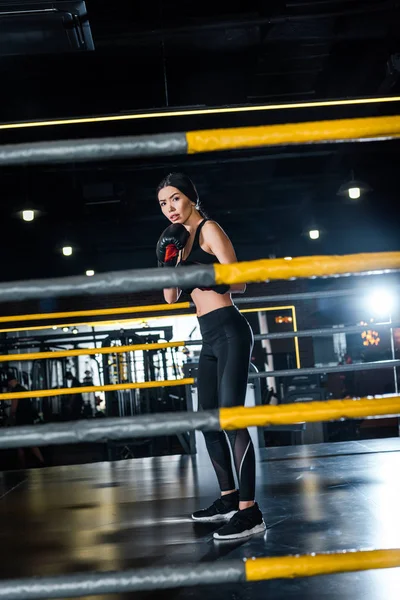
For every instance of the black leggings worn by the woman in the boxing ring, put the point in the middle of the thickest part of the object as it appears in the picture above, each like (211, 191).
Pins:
(222, 382)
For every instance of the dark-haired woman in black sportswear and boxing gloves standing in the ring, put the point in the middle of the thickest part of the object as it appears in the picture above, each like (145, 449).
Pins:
(225, 355)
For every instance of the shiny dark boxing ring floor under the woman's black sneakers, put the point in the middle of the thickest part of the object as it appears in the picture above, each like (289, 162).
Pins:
(135, 513)
